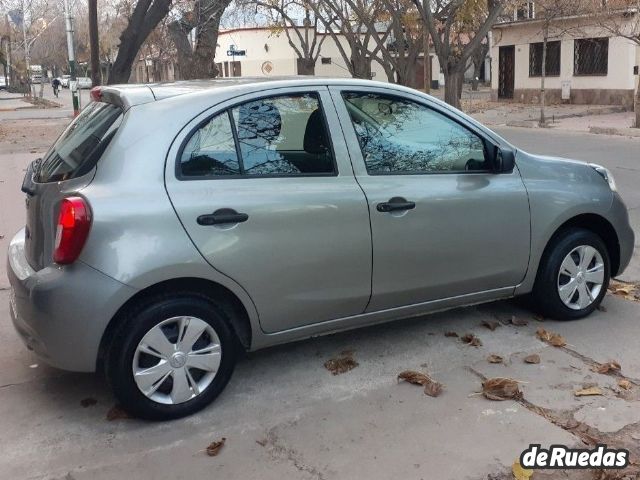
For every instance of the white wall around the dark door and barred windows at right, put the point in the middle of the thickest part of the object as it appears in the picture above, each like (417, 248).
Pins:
(616, 87)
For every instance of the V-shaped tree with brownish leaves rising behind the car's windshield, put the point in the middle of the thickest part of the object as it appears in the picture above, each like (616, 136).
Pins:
(457, 29)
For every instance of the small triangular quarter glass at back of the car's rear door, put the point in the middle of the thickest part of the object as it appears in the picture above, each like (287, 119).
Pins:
(211, 150)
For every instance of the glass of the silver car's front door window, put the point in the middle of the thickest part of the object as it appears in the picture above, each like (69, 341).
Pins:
(399, 136)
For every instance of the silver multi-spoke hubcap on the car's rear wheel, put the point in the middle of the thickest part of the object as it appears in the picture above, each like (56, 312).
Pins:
(177, 360)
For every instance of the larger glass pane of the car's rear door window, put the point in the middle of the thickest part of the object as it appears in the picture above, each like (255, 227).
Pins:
(283, 135)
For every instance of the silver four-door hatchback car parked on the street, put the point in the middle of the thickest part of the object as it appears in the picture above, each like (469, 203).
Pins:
(172, 226)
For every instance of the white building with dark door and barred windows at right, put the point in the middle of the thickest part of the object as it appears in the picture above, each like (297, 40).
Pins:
(590, 65)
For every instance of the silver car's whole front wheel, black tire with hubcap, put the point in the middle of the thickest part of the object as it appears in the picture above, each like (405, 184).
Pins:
(574, 258)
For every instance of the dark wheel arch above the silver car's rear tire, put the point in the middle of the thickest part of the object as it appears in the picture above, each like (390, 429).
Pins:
(187, 285)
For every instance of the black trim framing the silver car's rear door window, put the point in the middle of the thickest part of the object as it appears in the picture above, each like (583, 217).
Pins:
(312, 91)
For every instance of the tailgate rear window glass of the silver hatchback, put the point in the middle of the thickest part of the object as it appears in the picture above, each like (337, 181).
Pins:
(81, 145)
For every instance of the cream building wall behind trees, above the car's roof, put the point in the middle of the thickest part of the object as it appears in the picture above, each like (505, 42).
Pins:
(269, 54)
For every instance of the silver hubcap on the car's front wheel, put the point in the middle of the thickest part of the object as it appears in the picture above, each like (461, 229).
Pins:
(581, 277)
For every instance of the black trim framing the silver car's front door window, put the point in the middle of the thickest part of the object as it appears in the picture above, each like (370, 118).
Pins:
(481, 137)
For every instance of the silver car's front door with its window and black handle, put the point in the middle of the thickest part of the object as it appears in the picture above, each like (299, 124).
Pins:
(443, 223)
